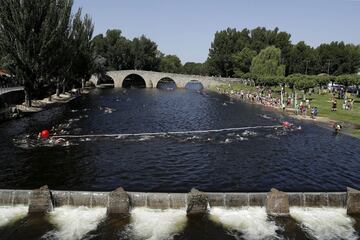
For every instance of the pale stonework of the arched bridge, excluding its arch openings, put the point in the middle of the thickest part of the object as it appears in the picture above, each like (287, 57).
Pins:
(152, 78)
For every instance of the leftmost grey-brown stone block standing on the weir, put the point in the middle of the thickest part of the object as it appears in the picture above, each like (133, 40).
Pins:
(41, 201)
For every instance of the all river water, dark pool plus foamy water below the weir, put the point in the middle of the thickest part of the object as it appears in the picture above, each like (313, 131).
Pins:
(303, 158)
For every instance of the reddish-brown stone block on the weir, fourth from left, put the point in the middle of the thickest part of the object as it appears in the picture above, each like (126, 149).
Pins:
(277, 203)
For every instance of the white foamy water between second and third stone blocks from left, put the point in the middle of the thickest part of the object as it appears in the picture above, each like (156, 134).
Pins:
(153, 224)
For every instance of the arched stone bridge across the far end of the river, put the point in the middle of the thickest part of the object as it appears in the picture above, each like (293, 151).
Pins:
(150, 79)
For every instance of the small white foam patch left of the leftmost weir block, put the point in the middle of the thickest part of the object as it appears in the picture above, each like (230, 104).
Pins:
(9, 214)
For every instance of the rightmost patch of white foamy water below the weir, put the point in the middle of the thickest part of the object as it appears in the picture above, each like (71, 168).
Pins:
(325, 223)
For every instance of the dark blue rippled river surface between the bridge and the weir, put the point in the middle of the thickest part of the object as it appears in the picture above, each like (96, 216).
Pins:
(310, 159)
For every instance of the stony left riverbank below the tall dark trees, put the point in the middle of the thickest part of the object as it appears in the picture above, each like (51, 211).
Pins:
(22, 110)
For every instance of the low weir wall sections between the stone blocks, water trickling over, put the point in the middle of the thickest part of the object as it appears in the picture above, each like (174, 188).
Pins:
(181, 200)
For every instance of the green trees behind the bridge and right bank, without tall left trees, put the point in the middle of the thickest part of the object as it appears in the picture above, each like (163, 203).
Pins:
(232, 54)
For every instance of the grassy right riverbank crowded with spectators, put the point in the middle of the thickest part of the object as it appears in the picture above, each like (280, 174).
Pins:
(349, 119)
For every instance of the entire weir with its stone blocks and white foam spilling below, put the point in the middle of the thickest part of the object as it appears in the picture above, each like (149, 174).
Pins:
(74, 214)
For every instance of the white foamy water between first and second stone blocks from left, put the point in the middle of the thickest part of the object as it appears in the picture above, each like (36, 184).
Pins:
(74, 222)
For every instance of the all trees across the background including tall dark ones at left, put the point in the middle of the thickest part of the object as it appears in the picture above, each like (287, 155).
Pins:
(47, 47)
